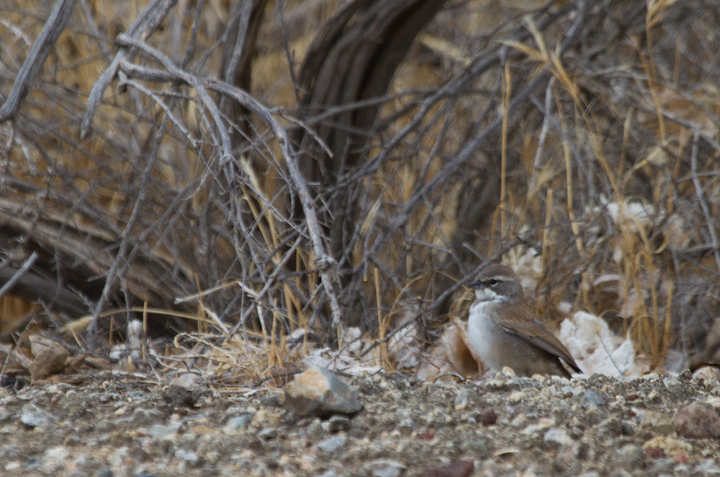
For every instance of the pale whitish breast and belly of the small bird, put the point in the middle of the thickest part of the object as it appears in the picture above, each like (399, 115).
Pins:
(484, 335)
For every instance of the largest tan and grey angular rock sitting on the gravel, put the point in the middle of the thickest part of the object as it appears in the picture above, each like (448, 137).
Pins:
(318, 392)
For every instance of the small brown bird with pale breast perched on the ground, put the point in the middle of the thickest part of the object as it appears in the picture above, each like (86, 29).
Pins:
(504, 331)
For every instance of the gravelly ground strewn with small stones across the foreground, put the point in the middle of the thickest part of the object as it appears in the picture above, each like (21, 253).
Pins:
(500, 426)
